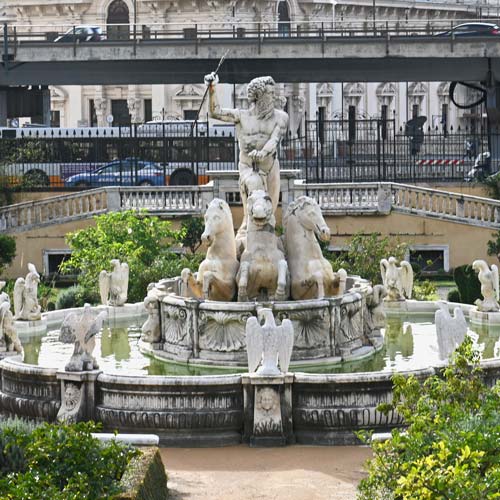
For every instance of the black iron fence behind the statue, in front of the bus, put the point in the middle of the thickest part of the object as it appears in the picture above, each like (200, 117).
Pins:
(171, 153)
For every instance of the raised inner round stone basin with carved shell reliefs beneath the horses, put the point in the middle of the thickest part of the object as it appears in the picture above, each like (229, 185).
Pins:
(328, 330)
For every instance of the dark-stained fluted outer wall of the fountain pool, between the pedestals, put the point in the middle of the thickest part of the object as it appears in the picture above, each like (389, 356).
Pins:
(214, 410)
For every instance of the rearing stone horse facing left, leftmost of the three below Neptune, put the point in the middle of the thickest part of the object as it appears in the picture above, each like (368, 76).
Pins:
(215, 279)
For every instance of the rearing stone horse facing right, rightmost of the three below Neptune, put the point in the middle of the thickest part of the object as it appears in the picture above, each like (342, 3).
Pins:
(311, 275)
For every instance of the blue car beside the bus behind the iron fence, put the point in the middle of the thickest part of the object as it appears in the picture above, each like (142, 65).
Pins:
(127, 172)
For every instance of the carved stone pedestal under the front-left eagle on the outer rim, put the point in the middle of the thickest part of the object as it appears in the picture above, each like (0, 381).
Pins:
(78, 395)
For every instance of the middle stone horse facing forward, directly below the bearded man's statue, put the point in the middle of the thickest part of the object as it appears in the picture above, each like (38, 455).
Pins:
(263, 269)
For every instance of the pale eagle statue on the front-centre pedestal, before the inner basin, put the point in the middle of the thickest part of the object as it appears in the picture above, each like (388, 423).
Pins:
(268, 344)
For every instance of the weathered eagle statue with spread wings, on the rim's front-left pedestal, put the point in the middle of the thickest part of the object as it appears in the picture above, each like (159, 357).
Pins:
(81, 328)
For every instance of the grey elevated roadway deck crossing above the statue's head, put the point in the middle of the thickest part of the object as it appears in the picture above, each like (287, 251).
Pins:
(295, 59)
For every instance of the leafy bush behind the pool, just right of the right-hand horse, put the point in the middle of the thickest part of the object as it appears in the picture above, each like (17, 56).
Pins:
(365, 253)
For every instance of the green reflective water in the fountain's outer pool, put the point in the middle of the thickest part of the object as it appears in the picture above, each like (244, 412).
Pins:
(409, 343)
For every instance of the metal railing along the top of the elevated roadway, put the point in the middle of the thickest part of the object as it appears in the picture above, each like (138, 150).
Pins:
(19, 33)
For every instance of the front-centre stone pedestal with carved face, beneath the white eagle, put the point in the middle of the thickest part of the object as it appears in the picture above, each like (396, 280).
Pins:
(267, 409)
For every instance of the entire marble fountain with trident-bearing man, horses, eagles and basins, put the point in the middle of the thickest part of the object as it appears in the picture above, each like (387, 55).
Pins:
(208, 321)
